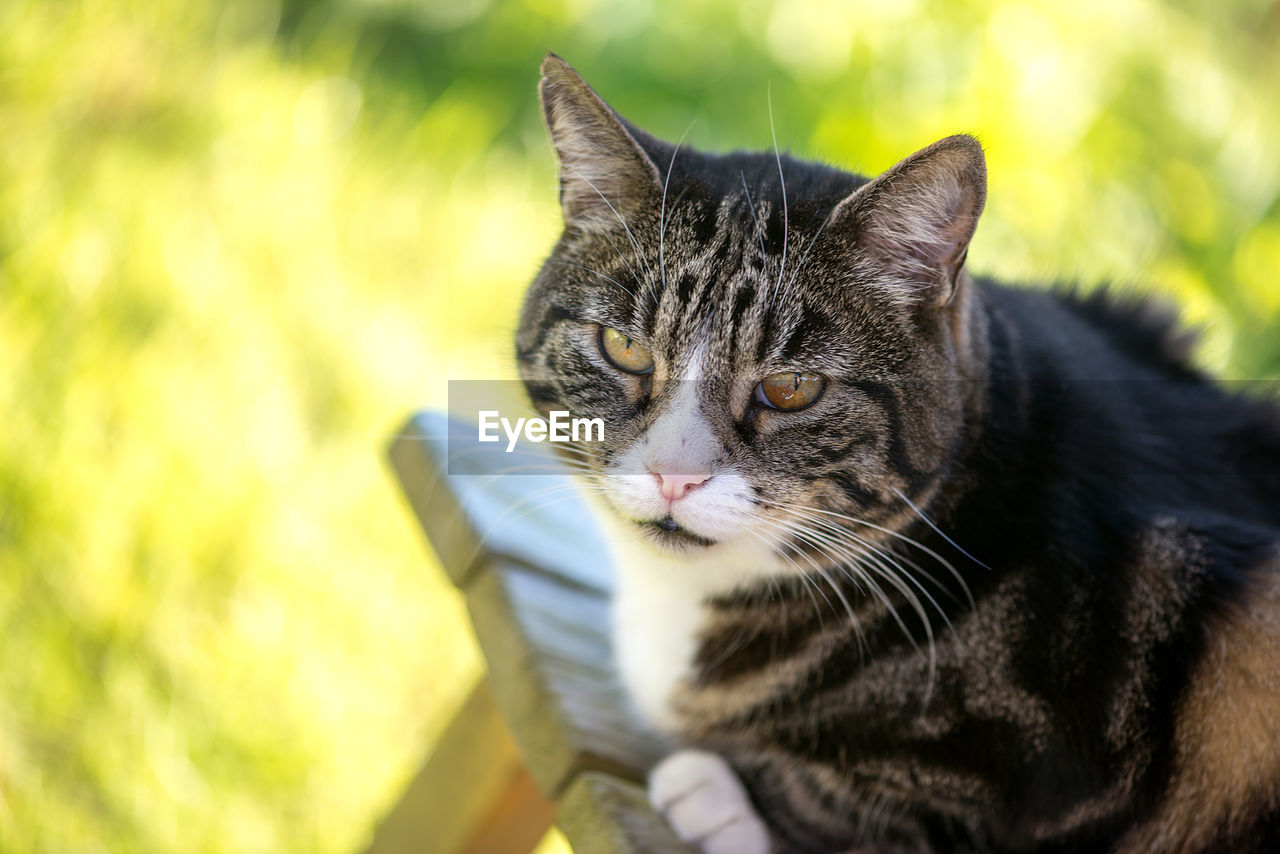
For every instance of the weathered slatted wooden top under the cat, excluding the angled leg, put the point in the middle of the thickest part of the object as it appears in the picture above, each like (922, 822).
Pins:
(536, 573)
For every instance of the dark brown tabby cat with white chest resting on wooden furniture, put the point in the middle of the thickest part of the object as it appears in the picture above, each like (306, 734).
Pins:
(908, 560)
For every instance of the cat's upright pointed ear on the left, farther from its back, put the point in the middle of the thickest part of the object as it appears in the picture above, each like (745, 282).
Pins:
(605, 173)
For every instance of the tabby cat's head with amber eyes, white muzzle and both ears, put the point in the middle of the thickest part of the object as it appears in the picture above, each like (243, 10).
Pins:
(772, 345)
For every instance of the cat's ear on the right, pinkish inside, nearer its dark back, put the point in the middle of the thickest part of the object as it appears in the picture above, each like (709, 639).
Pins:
(916, 221)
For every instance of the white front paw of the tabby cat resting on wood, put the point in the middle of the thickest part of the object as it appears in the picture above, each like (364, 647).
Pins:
(706, 805)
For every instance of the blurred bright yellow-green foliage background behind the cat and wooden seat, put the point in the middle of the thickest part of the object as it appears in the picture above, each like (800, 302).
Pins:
(240, 241)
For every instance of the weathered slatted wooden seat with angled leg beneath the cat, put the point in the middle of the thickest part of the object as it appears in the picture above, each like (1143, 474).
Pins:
(547, 736)
